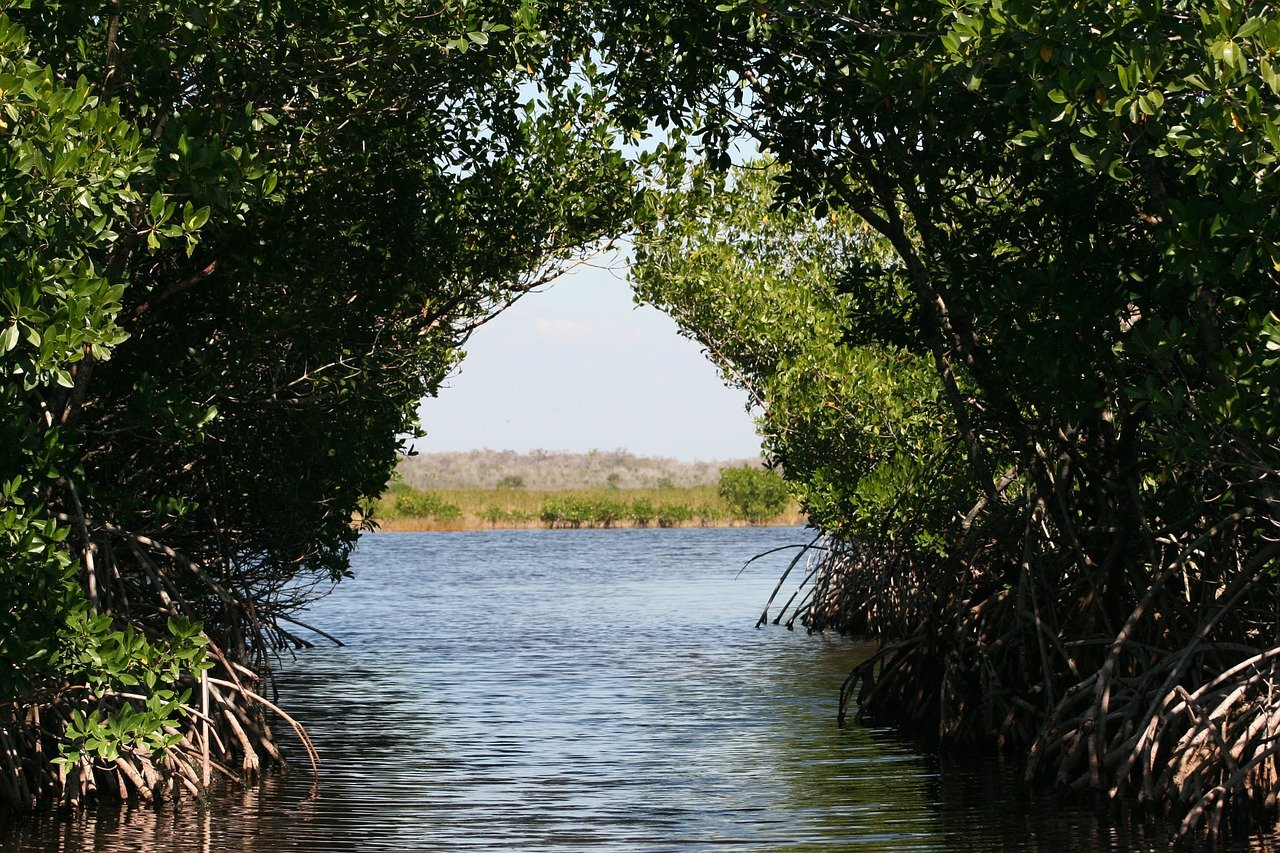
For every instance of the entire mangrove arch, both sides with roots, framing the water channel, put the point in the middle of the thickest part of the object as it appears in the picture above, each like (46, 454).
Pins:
(1003, 285)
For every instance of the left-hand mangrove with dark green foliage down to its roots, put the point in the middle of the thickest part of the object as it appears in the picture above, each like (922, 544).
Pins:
(236, 236)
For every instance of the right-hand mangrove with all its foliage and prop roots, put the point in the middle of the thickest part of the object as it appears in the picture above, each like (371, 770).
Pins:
(1009, 304)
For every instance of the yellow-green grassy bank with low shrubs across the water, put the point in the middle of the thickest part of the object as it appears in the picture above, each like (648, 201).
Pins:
(404, 509)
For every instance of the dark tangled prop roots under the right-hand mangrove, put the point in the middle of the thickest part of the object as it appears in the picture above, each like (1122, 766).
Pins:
(1158, 687)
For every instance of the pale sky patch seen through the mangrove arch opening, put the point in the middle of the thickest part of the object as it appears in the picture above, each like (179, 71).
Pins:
(578, 367)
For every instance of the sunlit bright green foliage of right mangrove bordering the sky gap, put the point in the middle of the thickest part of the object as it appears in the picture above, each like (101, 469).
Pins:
(808, 316)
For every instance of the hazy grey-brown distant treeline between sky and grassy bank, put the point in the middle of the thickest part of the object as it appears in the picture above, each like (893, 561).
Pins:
(487, 469)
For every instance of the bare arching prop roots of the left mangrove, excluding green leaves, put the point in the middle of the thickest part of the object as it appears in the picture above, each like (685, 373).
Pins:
(141, 582)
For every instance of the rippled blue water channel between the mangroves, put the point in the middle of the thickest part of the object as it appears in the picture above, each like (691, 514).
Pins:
(596, 690)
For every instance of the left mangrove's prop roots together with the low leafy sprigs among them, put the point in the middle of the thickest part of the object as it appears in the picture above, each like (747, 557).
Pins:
(74, 740)
